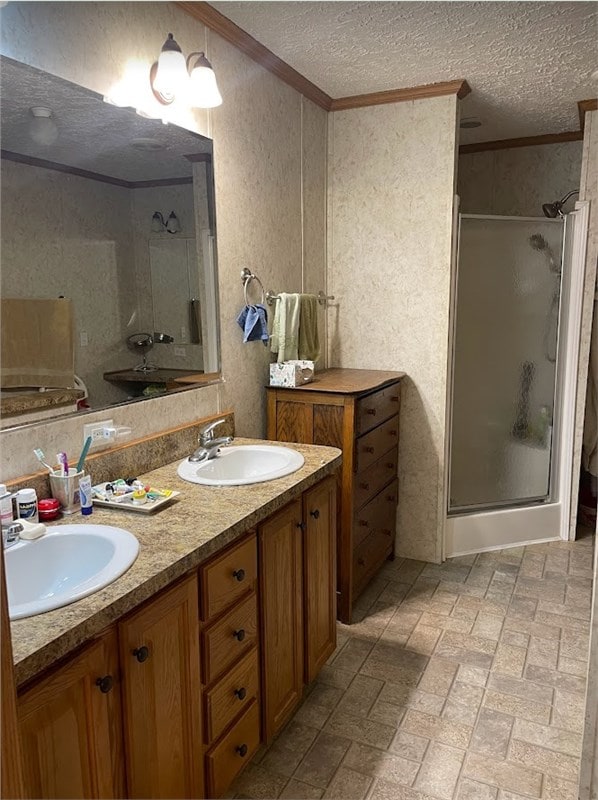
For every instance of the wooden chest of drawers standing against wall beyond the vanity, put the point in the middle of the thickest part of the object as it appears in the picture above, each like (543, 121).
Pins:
(358, 412)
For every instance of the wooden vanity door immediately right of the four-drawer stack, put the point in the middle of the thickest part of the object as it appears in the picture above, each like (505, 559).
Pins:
(281, 594)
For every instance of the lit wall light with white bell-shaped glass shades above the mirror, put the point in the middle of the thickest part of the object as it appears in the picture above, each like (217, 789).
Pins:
(172, 76)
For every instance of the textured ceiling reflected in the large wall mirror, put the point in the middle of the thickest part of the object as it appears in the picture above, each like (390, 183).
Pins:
(92, 135)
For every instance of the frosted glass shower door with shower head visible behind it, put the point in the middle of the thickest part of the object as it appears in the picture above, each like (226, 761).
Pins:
(504, 368)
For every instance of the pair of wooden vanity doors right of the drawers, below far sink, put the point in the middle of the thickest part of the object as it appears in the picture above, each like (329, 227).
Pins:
(297, 556)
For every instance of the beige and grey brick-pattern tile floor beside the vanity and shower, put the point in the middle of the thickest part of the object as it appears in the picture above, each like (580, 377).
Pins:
(460, 681)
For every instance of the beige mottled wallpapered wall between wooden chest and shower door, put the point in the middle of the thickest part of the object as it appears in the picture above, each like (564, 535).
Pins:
(391, 188)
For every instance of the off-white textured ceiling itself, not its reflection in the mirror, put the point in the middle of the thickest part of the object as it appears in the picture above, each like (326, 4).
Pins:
(527, 63)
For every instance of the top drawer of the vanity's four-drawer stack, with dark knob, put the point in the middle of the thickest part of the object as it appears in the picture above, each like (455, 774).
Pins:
(223, 580)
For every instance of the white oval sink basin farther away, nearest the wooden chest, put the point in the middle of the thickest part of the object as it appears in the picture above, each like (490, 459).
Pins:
(242, 464)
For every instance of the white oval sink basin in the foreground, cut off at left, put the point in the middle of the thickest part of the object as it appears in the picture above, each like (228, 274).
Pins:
(67, 563)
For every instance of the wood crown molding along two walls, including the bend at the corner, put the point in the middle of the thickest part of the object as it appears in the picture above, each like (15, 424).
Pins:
(227, 29)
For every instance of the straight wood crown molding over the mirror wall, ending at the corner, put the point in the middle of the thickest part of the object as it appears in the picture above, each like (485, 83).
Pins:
(227, 29)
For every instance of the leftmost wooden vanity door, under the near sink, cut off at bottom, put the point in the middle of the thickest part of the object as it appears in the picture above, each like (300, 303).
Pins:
(70, 726)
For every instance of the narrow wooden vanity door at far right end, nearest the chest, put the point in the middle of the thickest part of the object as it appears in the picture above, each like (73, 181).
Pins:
(319, 575)
